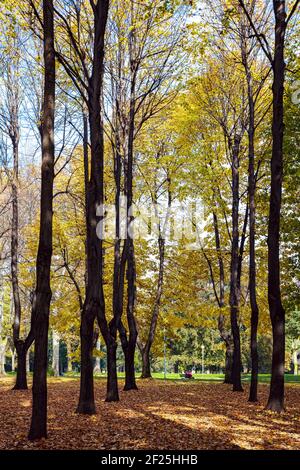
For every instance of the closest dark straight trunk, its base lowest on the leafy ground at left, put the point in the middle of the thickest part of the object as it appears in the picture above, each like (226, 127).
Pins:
(42, 296)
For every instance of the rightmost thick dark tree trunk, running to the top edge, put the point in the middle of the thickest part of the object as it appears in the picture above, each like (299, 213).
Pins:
(277, 313)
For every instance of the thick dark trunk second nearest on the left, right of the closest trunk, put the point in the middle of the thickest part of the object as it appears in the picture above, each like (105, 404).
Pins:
(94, 305)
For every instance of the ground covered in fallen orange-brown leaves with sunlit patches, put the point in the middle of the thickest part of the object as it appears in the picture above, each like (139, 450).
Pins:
(161, 415)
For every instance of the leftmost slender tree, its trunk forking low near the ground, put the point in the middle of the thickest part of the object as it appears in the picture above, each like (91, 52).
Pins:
(10, 115)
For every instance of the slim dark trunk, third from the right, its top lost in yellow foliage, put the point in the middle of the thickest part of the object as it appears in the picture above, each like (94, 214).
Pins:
(234, 288)
